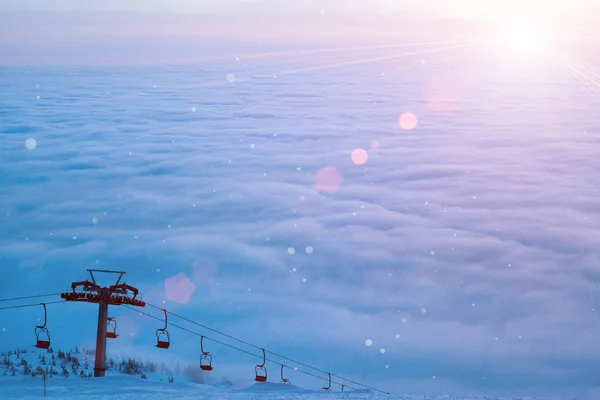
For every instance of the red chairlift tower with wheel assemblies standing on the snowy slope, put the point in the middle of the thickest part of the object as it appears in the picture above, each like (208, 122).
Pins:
(116, 295)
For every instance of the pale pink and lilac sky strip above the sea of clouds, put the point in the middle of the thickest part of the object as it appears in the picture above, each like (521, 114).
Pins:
(73, 32)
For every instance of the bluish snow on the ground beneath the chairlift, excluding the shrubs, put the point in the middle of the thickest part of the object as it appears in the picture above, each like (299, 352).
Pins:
(117, 385)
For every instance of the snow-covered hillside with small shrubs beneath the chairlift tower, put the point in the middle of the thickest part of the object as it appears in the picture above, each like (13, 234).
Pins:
(69, 376)
